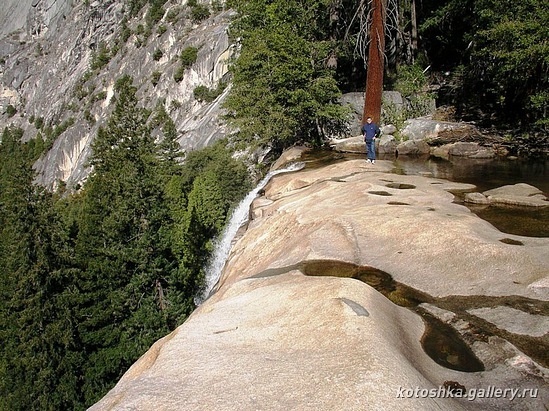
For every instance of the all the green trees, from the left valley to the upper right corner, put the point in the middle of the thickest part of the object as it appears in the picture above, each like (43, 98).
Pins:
(92, 276)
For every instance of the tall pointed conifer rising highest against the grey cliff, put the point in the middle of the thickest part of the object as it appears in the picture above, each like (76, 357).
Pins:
(121, 246)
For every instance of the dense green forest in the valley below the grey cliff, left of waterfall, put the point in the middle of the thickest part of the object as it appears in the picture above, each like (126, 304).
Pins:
(91, 279)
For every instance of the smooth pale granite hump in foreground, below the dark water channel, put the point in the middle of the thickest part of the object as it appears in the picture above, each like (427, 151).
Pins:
(286, 343)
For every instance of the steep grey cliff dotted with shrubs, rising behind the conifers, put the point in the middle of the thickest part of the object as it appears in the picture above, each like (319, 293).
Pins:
(51, 73)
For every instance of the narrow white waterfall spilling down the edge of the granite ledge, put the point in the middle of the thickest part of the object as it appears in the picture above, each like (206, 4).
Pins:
(223, 244)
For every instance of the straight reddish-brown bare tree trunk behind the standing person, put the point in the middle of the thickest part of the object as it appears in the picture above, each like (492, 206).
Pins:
(376, 63)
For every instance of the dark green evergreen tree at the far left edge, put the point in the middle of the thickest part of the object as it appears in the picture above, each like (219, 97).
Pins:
(40, 356)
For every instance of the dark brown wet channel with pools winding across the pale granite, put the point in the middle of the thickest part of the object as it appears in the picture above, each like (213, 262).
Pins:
(443, 343)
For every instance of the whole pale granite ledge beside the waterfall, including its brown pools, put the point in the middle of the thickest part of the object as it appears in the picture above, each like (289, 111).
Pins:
(292, 327)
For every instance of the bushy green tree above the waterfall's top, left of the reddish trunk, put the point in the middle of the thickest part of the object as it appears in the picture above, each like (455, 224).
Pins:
(283, 90)
